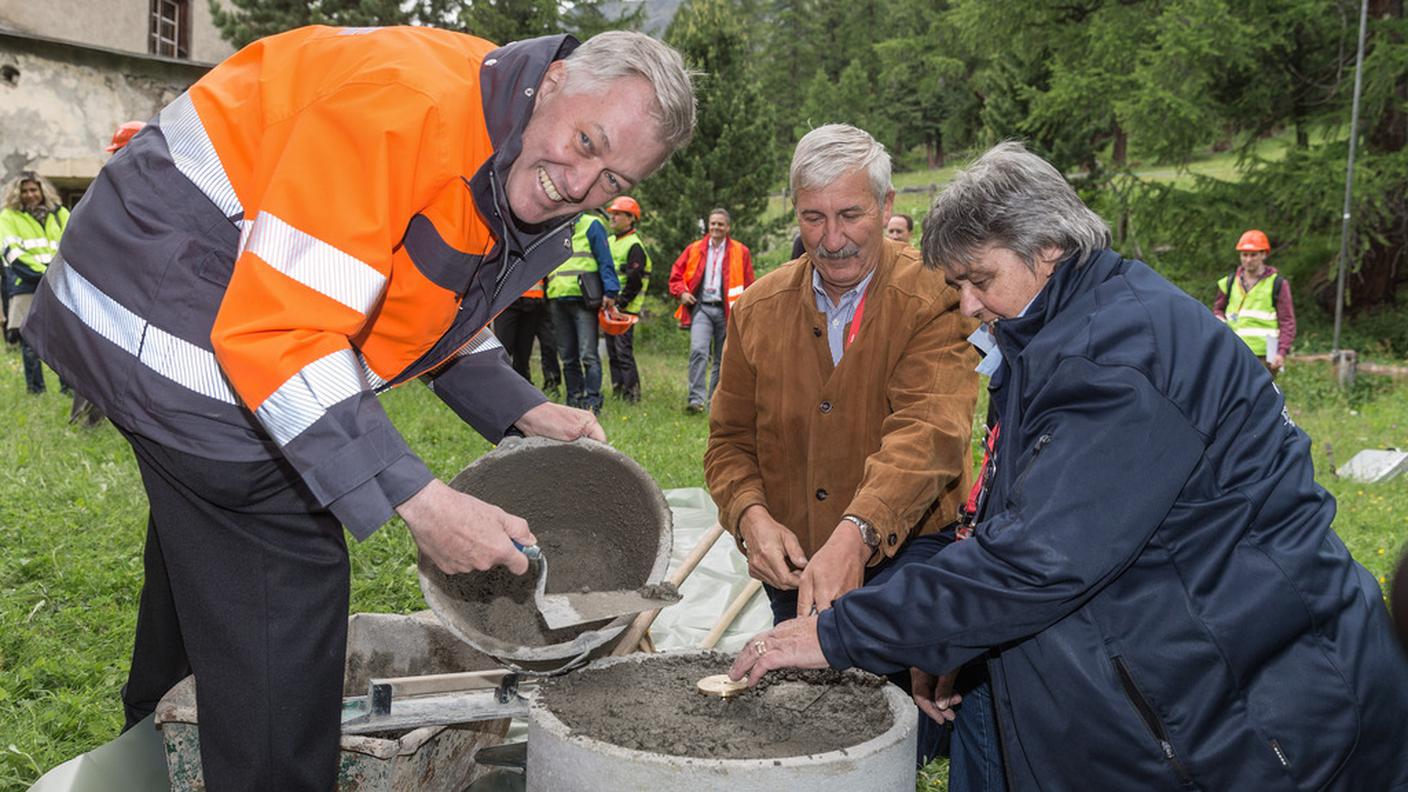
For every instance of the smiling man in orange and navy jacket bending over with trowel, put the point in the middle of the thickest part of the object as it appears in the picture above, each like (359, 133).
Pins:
(329, 214)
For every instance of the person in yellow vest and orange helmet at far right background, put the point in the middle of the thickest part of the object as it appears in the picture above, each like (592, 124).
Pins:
(1257, 304)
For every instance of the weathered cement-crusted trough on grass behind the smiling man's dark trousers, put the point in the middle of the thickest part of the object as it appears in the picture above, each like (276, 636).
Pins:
(434, 759)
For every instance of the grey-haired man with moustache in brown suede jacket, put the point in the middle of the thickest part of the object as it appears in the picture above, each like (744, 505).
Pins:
(841, 426)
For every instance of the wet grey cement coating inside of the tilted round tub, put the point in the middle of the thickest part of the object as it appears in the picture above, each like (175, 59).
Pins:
(595, 524)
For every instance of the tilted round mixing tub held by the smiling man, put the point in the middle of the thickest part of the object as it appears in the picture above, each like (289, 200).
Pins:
(602, 522)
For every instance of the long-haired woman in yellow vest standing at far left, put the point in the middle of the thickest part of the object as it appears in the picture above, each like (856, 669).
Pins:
(30, 228)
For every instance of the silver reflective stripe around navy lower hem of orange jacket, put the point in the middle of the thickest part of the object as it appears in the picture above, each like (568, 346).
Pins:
(168, 356)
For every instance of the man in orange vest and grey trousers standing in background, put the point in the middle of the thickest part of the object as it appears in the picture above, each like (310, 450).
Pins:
(708, 280)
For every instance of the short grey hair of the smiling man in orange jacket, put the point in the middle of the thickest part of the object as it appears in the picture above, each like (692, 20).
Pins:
(617, 54)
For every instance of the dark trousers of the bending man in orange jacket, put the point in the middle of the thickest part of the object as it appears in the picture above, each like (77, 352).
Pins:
(247, 588)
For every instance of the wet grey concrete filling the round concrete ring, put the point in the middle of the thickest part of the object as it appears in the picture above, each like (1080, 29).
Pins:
(655, 707)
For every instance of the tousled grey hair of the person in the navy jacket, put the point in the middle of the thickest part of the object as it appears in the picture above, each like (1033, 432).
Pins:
(1013, 199)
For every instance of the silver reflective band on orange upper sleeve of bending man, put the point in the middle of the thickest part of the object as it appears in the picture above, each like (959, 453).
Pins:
(315, 264)
